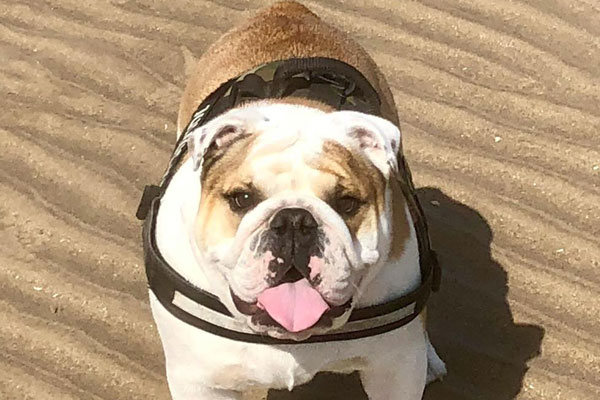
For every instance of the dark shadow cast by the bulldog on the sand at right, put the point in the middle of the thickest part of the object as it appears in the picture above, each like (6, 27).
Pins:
(469, 320)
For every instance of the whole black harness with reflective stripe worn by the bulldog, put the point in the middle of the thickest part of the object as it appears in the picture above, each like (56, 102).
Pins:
(334, 83)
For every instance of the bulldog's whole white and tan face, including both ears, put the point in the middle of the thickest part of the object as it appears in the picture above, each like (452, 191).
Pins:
(294, 211)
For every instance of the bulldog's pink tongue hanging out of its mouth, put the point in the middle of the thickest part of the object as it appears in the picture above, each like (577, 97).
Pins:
(295, 306)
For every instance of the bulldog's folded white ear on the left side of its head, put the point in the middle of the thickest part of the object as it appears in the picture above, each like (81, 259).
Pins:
(218, 134)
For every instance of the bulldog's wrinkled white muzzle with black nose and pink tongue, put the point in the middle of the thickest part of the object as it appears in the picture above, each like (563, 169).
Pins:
(294, 272)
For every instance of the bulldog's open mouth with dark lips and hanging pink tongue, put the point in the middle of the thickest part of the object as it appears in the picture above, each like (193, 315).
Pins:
(293, 306)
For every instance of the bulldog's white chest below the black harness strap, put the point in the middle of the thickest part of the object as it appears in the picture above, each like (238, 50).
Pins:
(196, 358)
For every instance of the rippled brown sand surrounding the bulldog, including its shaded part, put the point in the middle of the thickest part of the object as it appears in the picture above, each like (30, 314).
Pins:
(499, 103)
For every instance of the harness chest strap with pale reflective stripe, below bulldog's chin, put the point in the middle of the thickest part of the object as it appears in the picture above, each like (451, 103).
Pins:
(203, 310)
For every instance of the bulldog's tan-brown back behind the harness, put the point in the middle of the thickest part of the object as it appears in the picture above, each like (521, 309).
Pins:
(285, 30)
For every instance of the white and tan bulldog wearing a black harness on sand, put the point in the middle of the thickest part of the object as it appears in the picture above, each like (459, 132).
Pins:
(283, 211)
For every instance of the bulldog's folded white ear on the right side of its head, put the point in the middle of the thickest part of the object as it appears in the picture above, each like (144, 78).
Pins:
(377, 137)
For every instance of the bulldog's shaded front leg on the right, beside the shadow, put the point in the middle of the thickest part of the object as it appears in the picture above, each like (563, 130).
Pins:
(401, 378)
